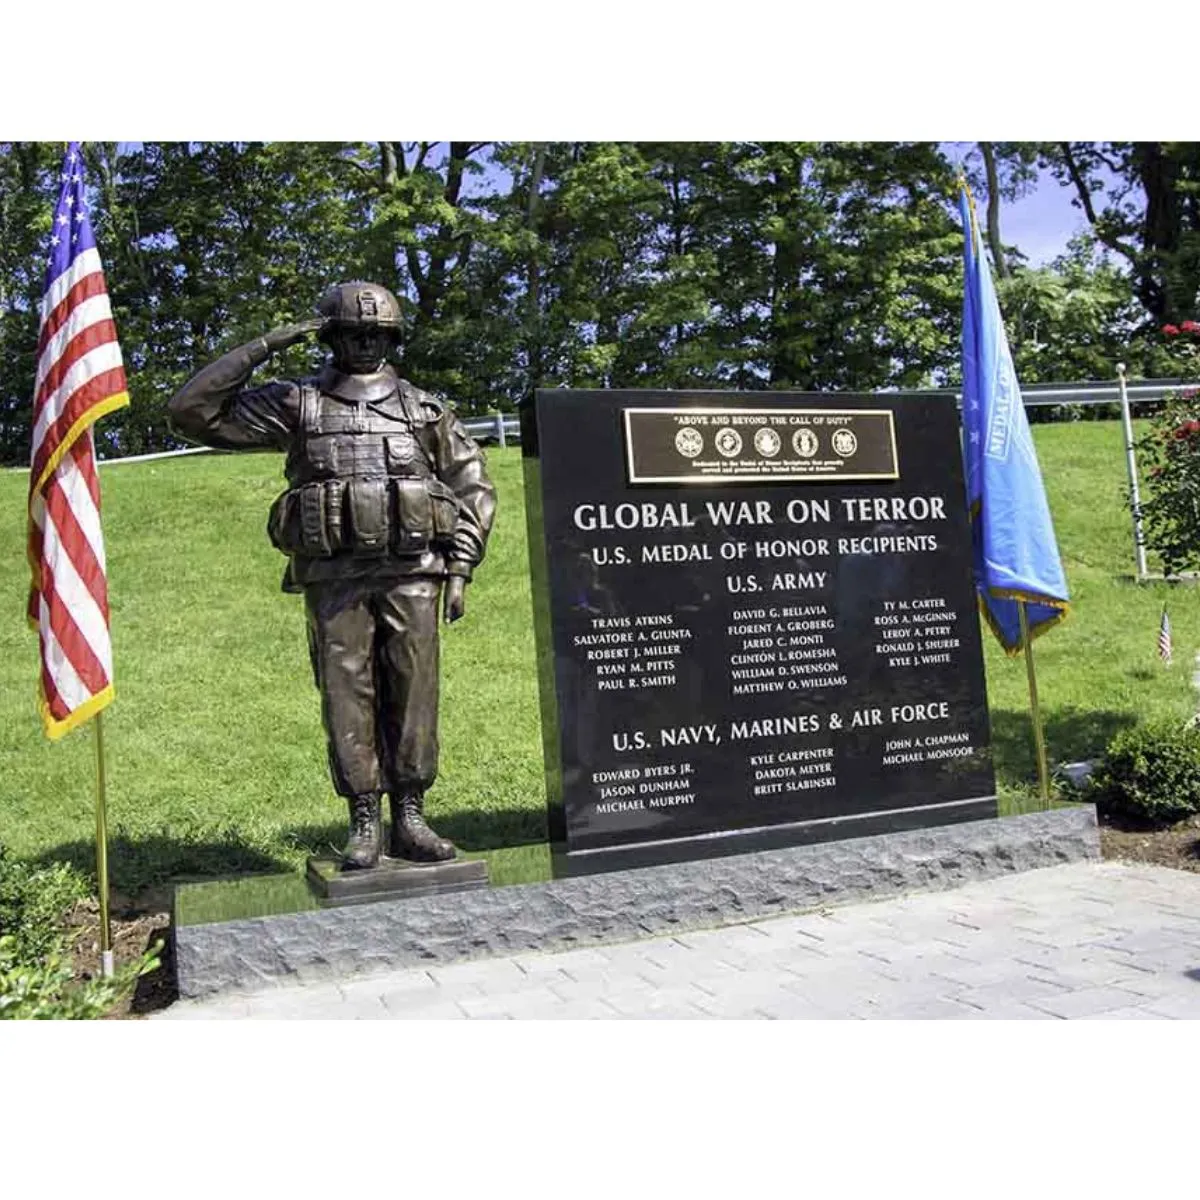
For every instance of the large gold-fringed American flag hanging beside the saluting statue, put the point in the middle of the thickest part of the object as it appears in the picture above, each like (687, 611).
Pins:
(81, 377)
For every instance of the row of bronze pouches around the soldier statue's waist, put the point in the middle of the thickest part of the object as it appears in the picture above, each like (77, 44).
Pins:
(365, 517)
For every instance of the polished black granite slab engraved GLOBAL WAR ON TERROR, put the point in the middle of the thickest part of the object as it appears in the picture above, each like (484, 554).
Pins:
(757, 623)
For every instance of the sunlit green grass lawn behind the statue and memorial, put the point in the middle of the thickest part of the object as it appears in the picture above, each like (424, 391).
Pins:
(214, 746)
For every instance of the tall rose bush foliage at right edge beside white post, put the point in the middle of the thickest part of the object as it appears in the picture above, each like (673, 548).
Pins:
(1169, 458)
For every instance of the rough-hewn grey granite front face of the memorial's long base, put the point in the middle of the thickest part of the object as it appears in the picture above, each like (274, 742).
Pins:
(620, 907)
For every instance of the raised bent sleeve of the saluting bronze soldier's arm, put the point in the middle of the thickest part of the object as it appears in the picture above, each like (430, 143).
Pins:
(218, 410)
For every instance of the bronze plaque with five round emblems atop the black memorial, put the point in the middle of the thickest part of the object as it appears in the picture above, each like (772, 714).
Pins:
(759, 446)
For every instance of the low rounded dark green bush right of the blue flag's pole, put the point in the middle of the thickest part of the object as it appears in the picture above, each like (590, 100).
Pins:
(1150, 773)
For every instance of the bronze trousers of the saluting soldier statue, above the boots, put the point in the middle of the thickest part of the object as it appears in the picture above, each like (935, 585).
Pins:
(375, 656)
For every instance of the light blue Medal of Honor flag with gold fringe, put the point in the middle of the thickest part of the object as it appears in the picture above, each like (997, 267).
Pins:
(1015, 549)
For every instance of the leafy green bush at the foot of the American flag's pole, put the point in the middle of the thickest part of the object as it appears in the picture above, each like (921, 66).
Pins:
(37, 980)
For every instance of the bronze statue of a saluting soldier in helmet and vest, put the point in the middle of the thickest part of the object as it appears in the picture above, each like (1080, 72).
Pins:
(388, 507)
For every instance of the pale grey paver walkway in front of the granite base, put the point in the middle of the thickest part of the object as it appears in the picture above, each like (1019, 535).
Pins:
(1094, 940)
